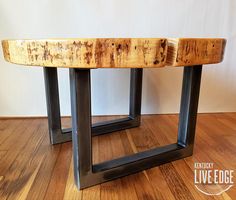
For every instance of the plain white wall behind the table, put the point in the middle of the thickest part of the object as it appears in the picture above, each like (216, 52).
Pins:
(22, 88)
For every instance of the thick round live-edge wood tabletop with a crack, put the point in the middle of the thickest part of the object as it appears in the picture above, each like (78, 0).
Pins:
(114, 52)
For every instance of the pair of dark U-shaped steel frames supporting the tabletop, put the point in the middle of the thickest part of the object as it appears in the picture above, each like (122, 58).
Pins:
(86, 173)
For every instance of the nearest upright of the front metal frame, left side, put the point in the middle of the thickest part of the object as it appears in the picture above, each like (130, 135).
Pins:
(81, 124)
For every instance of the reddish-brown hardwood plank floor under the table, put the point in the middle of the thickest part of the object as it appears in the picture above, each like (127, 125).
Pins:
(31, 168)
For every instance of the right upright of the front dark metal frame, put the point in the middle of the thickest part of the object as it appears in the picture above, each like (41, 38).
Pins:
(189, 105)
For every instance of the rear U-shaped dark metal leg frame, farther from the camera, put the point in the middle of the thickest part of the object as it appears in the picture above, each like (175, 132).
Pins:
(59, 135)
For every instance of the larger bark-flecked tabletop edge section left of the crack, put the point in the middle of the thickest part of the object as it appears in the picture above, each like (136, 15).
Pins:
(88, 53)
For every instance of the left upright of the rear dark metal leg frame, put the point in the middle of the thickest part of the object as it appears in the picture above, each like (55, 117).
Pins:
(57, 135)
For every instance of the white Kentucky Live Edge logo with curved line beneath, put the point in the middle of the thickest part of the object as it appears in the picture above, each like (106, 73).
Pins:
(211, 180)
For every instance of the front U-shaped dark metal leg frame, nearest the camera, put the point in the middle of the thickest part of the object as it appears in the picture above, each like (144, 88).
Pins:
(87, 173)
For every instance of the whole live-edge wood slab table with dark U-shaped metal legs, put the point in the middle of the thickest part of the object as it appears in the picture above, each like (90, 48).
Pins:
(82, 55)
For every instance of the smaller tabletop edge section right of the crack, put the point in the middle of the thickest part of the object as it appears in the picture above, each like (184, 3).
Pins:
(195, 51)
